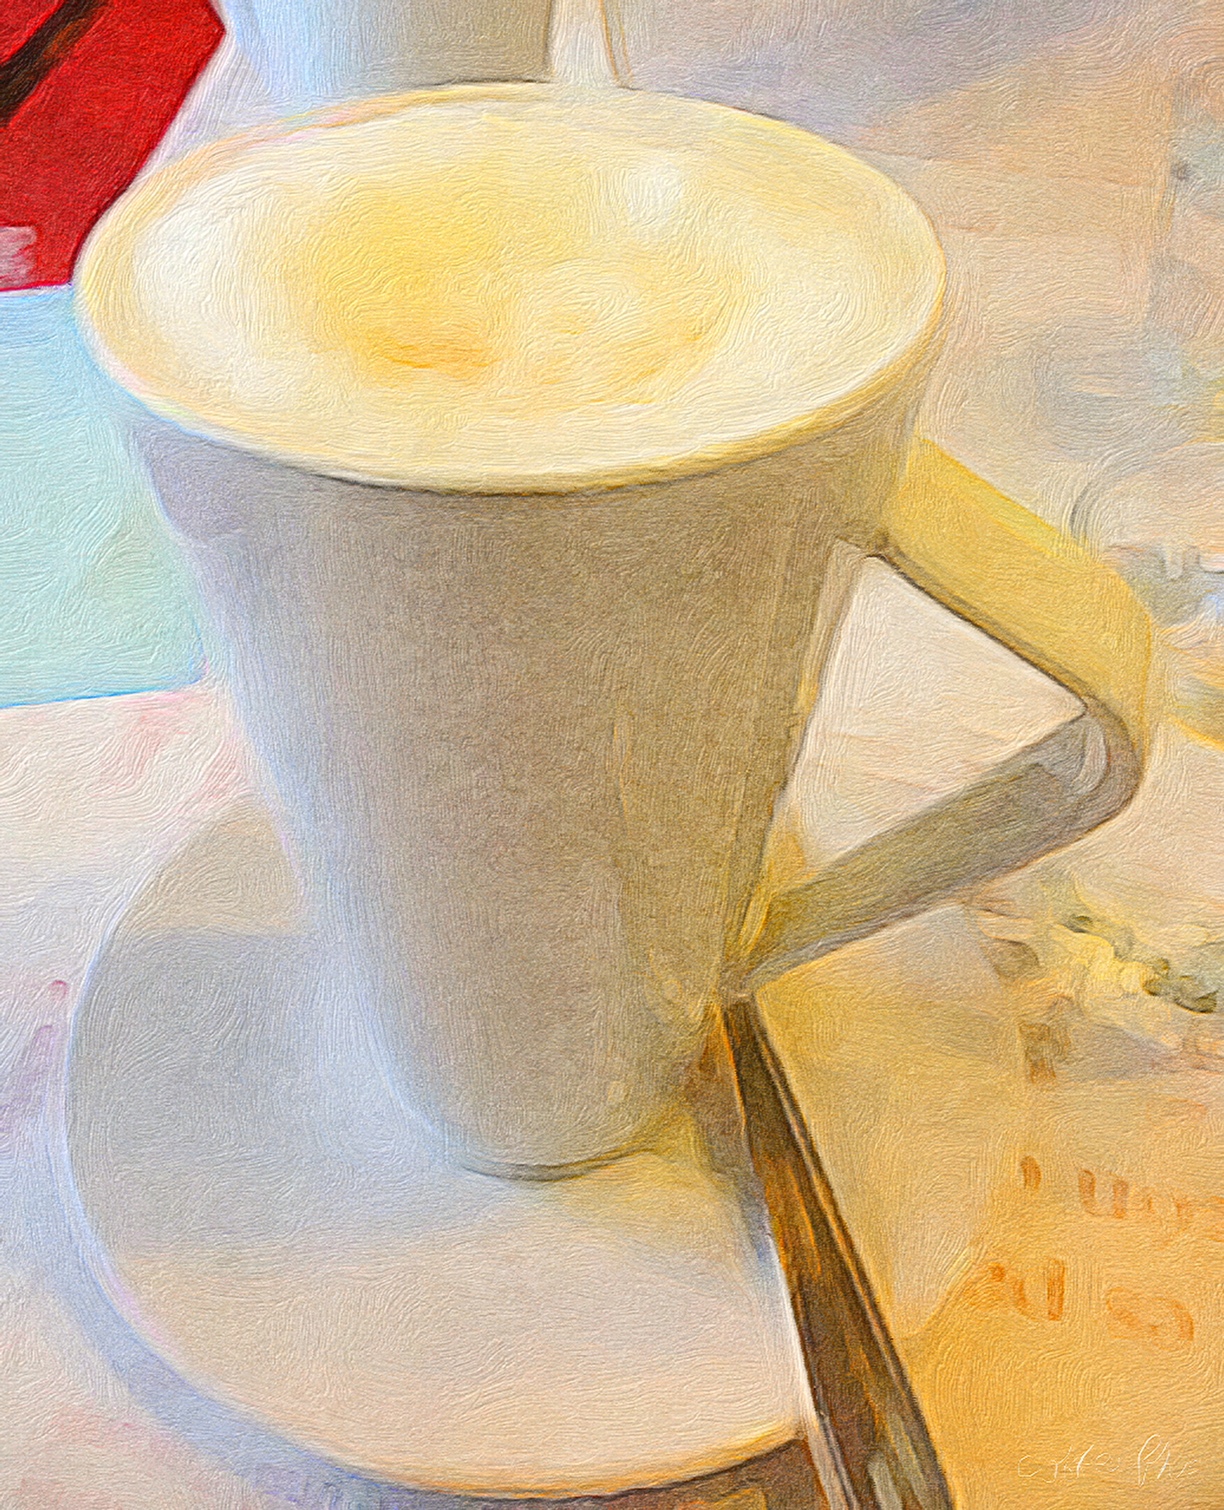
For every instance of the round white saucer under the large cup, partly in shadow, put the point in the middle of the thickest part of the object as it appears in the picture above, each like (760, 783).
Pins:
(292, 1242)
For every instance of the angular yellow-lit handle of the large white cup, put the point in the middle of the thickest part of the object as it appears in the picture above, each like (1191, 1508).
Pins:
(1042, 596)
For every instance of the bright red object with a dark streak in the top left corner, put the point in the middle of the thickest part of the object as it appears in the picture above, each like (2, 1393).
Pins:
(90, 114)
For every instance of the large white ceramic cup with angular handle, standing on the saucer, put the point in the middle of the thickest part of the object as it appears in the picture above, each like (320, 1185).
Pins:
(529, 706)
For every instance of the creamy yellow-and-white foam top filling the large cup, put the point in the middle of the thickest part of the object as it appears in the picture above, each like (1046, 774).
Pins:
(514, 288)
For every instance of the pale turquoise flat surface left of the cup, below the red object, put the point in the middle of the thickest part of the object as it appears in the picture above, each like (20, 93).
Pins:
(94, 600)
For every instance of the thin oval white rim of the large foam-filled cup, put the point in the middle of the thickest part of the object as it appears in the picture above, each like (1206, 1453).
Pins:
(164, 186)
